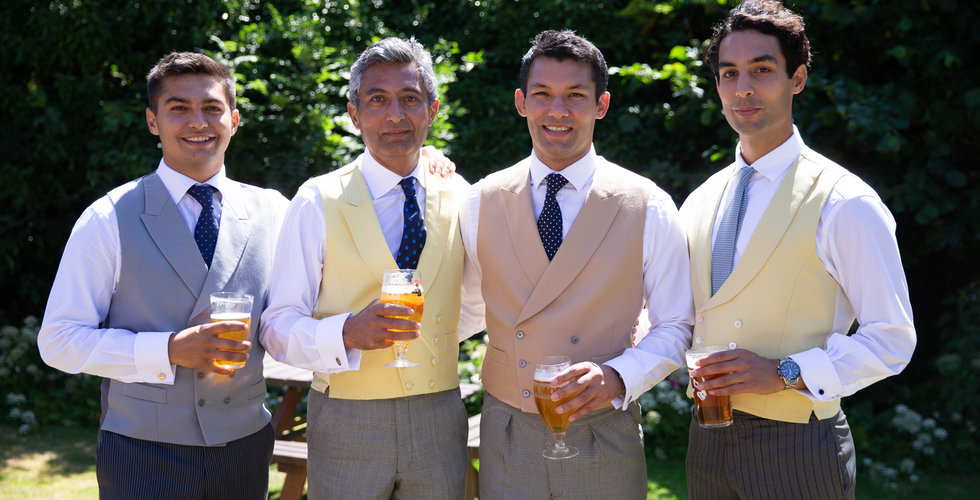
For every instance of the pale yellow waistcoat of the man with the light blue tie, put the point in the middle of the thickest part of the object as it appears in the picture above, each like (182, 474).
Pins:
(779, 300)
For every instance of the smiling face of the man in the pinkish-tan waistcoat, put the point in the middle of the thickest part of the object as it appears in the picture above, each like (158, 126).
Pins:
(561, 110)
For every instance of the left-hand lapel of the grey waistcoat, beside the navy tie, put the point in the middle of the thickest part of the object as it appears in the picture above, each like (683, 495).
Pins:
(169, 232)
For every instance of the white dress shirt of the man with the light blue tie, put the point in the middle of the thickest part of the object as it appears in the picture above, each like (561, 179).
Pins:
(856, 244)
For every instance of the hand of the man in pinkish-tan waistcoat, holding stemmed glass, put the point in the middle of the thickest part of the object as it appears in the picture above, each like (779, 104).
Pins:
(593, 386)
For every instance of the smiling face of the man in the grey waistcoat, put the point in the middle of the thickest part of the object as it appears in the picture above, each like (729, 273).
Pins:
(195, 123)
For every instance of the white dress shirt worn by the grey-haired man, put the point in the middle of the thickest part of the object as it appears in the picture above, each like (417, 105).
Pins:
(289, 332)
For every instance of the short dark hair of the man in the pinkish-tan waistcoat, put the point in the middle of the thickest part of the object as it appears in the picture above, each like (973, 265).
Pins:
(565, 44)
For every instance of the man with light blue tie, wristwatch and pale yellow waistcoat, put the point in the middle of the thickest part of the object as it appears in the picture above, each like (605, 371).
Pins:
(787, 248)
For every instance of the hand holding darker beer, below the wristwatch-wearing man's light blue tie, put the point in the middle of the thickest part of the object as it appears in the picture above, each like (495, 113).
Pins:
(742, 372)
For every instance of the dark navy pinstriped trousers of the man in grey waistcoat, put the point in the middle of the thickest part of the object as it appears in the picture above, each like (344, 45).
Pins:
(132, 469)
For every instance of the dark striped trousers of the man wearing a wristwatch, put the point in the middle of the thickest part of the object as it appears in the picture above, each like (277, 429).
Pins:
(757, 458)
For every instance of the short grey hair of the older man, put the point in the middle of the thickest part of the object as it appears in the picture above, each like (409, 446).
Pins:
(394, 50)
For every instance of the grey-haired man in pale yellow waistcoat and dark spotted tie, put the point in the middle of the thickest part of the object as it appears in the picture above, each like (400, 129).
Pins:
(376, 431)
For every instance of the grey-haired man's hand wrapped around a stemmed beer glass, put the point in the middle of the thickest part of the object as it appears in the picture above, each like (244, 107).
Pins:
(373, 327)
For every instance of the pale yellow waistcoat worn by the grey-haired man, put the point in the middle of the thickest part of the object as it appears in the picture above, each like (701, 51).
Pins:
(357, 255)
